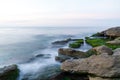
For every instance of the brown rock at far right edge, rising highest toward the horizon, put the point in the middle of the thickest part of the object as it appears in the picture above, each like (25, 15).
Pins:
(112, 32)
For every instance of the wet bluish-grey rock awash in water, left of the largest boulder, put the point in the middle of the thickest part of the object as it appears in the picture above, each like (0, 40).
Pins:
(46, 73)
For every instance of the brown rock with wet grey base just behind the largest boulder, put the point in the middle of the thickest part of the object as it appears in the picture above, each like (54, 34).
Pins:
(68, 53)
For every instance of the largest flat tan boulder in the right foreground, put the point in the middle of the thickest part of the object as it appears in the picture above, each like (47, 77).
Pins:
(102, 65)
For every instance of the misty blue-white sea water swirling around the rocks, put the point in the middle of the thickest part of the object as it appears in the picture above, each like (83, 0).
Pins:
(31, 48)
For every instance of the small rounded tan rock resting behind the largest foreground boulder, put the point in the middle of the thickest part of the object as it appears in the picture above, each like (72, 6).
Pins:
(103, 49)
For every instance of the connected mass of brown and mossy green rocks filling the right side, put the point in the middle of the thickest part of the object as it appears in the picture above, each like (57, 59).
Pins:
(103, 62)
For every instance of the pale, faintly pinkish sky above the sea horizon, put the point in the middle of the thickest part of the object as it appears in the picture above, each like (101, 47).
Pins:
(59, 13)
